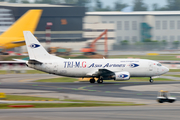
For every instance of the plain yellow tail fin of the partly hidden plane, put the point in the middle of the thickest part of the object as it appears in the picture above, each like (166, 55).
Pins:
(28, 22)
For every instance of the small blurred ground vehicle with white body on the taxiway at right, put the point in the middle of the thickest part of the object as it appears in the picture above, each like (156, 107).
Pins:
(164, 96)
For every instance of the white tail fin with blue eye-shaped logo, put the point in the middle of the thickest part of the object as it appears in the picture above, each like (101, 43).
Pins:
(35, 49)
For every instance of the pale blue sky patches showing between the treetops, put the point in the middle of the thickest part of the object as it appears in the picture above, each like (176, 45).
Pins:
(129, 2)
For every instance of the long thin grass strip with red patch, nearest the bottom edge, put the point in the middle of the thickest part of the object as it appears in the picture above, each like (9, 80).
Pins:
(57, 105)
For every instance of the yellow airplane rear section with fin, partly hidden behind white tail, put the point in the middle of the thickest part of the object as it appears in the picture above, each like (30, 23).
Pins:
(14, 37)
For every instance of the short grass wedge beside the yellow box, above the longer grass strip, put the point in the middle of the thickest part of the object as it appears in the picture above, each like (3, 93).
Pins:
(18, 97)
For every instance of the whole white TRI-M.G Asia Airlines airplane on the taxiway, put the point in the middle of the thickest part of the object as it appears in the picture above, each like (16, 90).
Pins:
(103, 69)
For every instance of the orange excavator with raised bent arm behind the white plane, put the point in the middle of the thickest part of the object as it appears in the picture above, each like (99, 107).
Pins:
(91, 50)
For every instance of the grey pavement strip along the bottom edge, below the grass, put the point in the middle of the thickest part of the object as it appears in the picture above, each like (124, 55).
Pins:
(149, 112)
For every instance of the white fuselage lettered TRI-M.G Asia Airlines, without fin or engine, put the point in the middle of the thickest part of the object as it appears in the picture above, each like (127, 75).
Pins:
(87, 67)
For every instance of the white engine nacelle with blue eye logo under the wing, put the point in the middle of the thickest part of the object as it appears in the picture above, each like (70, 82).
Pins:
(122, 76)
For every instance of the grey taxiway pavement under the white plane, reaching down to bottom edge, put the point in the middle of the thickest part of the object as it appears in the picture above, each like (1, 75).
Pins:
(138, 92)
